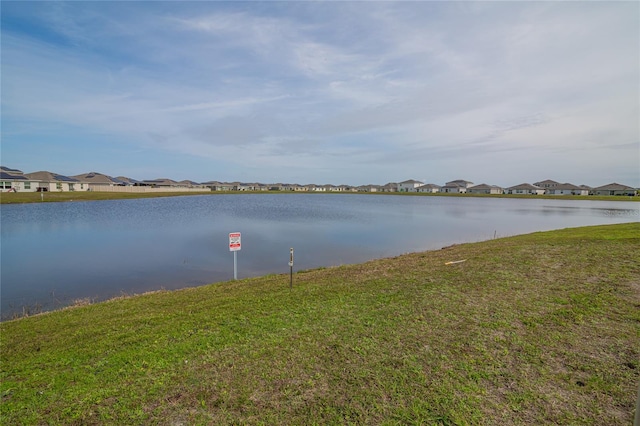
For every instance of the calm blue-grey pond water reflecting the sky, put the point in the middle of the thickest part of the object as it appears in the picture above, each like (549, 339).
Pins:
(54, 253)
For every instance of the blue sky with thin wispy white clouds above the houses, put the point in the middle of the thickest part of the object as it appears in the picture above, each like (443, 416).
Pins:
(354, 93)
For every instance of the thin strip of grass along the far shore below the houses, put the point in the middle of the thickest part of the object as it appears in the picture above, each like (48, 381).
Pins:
(48, 197)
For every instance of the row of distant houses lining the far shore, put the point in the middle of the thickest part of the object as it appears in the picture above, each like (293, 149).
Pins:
(43, 181)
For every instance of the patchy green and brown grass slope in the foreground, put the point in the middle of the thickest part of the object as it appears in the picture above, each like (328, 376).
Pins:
(535, 329)
